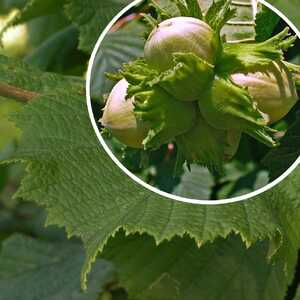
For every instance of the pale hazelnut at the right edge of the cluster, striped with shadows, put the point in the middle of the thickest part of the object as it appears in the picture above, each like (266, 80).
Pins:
(274, 90)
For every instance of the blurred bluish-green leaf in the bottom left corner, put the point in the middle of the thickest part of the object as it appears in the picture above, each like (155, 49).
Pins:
(32, 269)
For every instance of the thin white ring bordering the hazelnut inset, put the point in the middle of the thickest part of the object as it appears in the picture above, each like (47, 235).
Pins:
(137, 179)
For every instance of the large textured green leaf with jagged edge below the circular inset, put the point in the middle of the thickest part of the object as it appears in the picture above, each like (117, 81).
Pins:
(69, 174)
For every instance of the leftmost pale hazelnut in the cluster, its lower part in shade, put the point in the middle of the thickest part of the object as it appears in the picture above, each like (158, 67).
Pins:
(119, 118)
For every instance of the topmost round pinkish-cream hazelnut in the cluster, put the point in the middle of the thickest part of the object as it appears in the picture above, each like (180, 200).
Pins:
(179, 35)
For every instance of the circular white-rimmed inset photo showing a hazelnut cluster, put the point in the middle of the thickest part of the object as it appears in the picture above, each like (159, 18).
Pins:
(198, 100)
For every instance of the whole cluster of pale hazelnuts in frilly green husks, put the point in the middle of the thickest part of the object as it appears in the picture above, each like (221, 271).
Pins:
(194, 89)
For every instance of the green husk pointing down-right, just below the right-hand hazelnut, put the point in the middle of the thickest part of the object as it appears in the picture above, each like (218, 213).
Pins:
(227, 106)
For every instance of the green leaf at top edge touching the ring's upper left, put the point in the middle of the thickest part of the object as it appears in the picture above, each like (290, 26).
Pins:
(92, 18)
